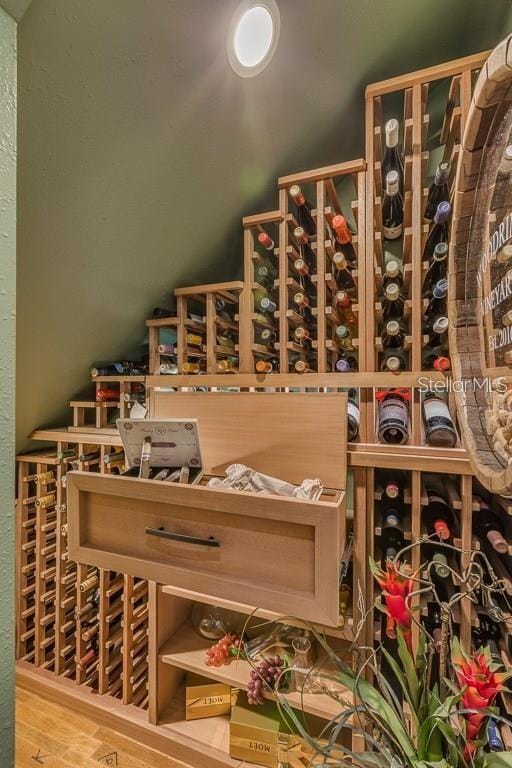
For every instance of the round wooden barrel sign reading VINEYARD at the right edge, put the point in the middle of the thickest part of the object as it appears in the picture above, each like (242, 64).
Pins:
(480, 285)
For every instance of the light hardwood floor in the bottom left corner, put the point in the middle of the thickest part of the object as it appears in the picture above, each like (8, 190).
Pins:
(52, 736)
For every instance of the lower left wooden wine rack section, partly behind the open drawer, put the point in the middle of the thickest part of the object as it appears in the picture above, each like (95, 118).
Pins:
(50, 631)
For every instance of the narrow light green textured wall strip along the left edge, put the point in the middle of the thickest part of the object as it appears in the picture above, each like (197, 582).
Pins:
(7, 352)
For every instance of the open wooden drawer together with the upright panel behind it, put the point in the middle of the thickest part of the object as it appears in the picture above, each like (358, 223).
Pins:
(277, 553)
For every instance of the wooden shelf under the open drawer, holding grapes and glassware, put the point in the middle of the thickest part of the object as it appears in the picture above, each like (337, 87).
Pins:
(186, 650)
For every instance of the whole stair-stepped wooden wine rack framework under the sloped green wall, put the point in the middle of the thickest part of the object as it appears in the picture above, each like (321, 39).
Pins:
(147, 670)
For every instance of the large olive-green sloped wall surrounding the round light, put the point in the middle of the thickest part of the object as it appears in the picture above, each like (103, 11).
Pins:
(140, 150)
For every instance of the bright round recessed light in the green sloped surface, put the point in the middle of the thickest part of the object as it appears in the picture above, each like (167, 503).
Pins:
(253, 37)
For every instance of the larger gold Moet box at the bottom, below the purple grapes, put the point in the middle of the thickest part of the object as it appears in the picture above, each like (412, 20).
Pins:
(256, 733)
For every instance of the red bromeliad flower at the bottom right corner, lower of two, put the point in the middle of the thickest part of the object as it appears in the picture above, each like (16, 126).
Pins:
(480, 684)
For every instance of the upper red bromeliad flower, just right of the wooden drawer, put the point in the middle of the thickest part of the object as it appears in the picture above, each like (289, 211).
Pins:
(396, 587)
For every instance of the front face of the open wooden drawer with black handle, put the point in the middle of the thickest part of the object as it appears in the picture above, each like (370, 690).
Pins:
(276, 553)
